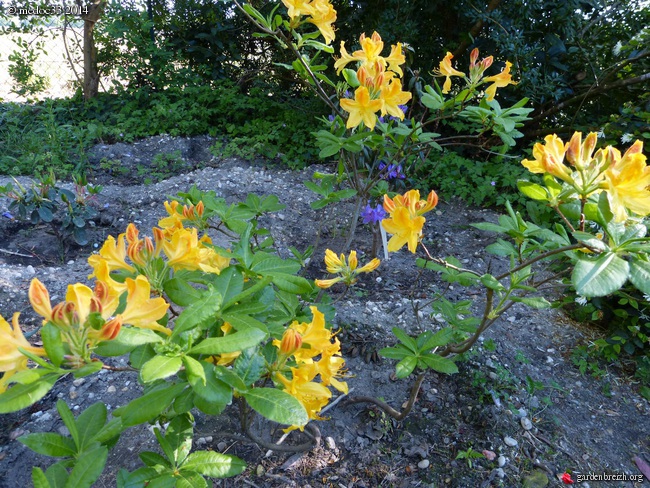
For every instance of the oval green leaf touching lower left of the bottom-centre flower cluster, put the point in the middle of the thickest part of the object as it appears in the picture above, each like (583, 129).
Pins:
(277, 405)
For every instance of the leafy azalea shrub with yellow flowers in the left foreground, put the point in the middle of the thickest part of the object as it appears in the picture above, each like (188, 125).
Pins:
(203, 325)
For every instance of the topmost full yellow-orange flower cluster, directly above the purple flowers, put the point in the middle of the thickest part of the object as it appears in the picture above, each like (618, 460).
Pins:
(380, 87)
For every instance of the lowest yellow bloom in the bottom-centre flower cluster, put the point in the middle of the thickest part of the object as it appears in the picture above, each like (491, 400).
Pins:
(313, 396)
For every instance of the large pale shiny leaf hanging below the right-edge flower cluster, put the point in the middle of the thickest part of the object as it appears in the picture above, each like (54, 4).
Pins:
(601, 276)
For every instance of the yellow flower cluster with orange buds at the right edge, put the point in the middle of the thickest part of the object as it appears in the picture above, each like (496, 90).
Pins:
(626, 178)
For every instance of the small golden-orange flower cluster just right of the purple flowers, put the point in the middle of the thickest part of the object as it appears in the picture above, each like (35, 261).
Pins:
(406, 221)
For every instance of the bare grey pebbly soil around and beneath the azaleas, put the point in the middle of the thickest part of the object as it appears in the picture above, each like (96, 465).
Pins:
(518, 393)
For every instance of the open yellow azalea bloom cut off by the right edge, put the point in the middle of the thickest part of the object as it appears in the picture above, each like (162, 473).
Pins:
(627, 182)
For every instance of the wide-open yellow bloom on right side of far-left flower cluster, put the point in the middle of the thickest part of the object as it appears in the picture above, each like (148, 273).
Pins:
(141, 310)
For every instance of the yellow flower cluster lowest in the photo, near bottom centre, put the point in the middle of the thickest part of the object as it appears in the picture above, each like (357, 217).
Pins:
(303, 342)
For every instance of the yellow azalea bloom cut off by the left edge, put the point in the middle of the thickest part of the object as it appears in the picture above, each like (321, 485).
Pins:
(11, 359)
